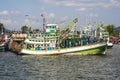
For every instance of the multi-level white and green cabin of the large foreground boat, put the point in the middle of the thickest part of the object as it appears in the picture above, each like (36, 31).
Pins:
(43, 41)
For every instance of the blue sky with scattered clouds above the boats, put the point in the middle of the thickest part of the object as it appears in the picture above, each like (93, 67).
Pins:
(16, 13)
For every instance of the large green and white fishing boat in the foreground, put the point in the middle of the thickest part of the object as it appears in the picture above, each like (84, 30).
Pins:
(53, 41)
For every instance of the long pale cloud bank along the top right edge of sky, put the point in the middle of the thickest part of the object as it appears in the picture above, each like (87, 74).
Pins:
(82, 5)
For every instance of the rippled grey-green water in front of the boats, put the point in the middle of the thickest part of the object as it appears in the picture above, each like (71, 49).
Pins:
(26, 67)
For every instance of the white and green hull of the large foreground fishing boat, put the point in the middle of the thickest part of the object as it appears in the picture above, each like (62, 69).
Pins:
(79, 50)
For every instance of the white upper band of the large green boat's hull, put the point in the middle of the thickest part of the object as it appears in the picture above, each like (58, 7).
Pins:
(62, 51)
